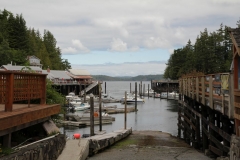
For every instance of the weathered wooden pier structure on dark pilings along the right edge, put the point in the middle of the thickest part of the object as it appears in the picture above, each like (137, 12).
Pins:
(209, 108)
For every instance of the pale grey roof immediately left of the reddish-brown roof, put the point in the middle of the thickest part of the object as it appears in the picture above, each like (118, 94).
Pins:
(56, 74)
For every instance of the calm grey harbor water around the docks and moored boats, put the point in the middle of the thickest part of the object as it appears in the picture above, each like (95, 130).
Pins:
(154, 114)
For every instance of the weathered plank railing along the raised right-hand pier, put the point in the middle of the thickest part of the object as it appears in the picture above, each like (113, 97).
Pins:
(214, 90)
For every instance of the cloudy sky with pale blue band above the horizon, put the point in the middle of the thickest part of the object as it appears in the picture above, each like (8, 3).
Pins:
(126, 37)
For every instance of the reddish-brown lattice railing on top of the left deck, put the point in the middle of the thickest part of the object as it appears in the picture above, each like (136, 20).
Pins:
(18, 86)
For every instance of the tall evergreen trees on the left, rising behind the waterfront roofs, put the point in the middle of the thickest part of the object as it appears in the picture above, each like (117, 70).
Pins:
(17, 42)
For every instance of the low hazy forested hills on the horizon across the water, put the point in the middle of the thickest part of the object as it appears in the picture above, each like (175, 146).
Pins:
(128, 78)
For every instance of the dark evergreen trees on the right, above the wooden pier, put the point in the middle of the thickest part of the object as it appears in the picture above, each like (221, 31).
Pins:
(211, 53)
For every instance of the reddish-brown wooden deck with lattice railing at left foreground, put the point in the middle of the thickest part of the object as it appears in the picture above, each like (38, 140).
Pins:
(17, 88)
